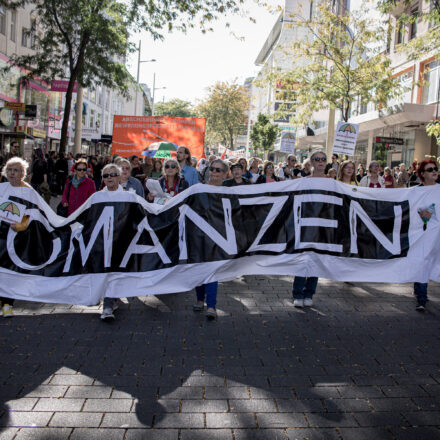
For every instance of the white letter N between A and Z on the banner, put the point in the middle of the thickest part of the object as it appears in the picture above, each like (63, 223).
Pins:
(228, 244)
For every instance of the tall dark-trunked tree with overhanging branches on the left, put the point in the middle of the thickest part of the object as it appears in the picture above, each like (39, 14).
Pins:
(87, 41)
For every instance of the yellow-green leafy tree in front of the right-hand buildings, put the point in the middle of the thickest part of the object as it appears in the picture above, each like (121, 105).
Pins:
(340, 61)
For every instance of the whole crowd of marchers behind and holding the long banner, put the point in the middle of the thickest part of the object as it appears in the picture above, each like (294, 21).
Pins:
(76, 179)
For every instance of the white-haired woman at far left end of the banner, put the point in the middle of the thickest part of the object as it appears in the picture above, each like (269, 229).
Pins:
(15, 172)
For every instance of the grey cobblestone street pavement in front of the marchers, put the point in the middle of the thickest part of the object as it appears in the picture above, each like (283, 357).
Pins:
(360, 364)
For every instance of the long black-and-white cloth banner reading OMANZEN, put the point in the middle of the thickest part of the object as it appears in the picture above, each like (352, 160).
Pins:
(118, 245)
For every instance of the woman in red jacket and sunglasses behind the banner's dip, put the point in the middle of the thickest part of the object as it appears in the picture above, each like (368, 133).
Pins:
(78, 188)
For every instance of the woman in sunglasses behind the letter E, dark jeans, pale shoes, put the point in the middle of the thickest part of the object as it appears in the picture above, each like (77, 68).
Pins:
(305, 287)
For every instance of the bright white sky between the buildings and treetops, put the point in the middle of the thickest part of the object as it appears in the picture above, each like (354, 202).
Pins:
(189, 63)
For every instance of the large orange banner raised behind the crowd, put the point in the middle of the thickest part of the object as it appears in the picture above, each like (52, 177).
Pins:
(133, 134)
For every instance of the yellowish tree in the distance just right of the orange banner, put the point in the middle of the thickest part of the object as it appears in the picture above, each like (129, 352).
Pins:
(225, 110)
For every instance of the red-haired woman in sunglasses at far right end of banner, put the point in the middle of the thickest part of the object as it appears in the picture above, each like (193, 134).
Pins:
(428, 175)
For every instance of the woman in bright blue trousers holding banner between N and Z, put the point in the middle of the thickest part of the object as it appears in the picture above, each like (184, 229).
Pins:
(217, 173)
